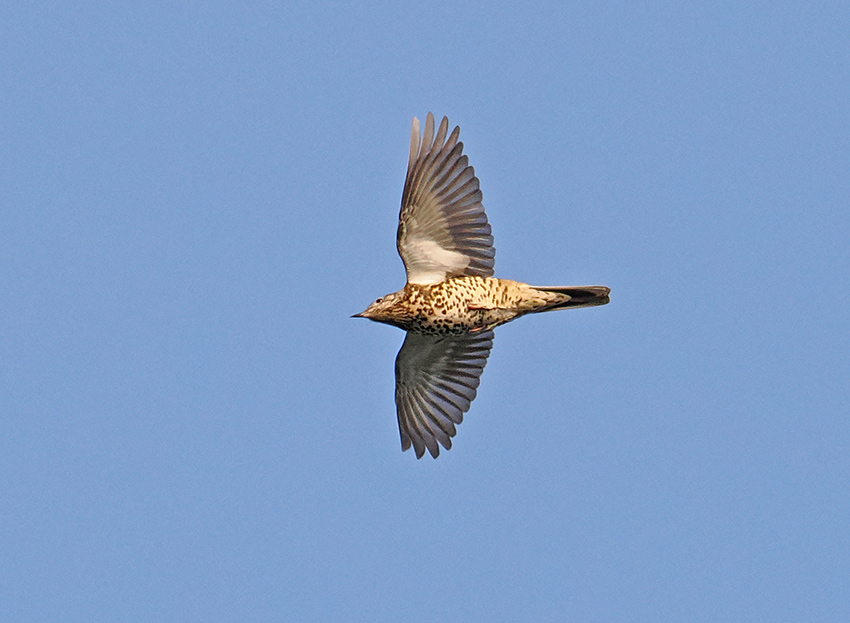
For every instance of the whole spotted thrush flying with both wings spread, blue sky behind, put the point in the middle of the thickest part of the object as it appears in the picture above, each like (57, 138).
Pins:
(451, 302)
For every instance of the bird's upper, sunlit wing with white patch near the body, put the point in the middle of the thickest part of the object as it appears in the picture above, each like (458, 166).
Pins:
(443, 230)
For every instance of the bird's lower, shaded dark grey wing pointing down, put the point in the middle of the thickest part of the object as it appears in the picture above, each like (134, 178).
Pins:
(436, 381)
